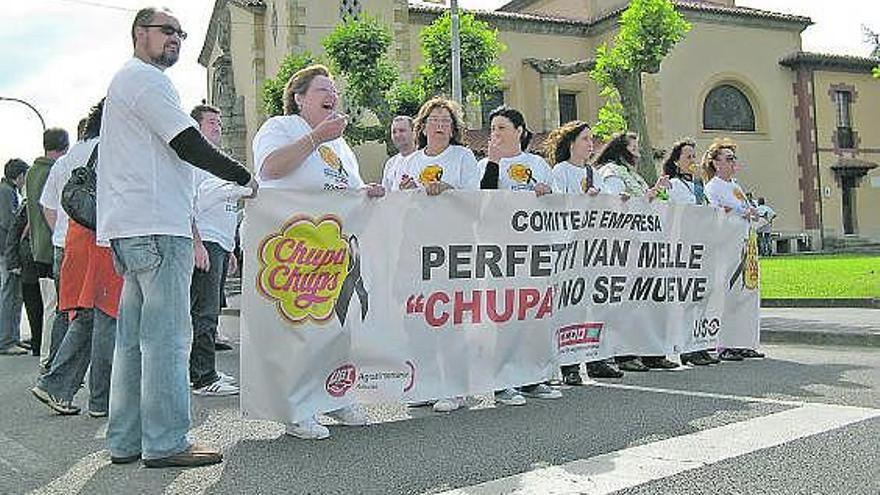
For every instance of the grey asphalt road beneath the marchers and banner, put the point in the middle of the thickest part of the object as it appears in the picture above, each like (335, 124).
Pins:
(806, 420)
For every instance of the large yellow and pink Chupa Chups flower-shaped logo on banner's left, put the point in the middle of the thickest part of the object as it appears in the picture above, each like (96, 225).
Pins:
(310, 269)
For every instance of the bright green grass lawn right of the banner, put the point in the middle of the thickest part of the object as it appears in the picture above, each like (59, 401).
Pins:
(820, 276)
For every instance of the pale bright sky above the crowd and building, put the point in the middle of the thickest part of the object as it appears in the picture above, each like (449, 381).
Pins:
(60, 54)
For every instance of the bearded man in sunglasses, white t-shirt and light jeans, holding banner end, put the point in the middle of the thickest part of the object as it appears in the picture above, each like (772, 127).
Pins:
(144, 206)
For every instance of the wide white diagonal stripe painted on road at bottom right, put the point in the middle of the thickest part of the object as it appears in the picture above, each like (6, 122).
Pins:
(634, 466)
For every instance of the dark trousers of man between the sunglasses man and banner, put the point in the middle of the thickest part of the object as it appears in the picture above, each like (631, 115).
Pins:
(205, 311)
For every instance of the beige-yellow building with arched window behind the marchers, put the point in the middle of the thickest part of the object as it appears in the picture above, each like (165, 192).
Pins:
(740, 72)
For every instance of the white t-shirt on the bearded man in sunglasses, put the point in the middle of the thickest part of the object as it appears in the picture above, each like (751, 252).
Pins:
(144, 188)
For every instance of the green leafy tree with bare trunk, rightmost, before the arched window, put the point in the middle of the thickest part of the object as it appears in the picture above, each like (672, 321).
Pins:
(648, 31)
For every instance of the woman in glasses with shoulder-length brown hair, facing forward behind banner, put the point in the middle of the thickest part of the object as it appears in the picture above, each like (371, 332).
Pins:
(440, 164)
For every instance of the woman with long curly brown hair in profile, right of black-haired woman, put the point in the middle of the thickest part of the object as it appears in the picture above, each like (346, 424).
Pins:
(569, 149)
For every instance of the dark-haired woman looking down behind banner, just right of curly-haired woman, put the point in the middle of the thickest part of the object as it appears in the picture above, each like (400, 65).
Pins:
(618, 161)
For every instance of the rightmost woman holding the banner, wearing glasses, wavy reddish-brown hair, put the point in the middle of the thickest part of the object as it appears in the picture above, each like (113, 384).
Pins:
(720, 165)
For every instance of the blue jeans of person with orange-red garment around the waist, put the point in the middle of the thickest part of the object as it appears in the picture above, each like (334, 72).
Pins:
(89, 340)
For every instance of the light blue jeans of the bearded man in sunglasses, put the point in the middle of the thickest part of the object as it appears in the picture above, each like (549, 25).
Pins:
(149, 386)
